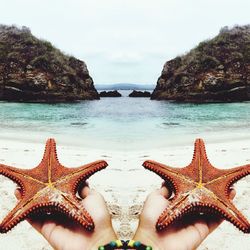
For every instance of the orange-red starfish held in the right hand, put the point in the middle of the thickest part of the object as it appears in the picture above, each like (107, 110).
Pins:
(200, 188)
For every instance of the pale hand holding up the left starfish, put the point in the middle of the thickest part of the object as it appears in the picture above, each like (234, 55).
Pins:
(67, 235)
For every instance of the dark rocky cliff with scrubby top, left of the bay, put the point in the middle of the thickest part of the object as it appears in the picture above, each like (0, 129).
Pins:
(32, 70)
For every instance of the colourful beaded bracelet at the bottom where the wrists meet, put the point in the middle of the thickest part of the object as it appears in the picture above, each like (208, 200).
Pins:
(129, 244)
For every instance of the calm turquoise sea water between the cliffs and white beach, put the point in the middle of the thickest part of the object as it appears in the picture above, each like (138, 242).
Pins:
(125, 123)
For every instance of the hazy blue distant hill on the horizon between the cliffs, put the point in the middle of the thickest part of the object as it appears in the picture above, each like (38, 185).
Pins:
(124, 86)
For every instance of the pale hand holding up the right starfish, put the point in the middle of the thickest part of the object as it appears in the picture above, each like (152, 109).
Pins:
(178, 236)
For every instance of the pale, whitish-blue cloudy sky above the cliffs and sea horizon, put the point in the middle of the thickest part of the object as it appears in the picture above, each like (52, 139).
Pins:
(125, 41)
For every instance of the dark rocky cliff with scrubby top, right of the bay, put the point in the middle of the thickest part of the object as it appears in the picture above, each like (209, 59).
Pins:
(217, 70)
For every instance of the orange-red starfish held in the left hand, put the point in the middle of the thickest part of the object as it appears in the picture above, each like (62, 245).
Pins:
(49, 188)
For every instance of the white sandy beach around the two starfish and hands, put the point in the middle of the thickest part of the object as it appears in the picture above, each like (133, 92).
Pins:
(124, 185)
